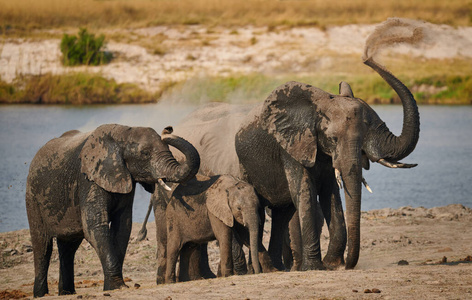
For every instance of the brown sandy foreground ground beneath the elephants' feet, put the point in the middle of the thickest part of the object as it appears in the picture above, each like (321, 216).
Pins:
(435, 246)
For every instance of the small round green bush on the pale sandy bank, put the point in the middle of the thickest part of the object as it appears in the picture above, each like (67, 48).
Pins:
(84, 49)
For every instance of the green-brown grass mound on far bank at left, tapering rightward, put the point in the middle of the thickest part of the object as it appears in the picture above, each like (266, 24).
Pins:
(74, 88)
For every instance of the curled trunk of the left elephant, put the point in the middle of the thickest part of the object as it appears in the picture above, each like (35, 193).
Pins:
(181, 172)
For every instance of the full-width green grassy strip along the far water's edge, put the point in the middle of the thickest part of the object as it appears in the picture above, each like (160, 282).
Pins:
(82, 88)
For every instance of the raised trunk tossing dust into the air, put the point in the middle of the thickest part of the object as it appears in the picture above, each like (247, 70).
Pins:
(385, 145)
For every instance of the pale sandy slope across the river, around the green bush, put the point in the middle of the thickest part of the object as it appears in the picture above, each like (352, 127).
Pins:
(154, 57)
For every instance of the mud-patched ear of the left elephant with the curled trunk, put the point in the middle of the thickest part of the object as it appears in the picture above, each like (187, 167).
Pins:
(102, 162)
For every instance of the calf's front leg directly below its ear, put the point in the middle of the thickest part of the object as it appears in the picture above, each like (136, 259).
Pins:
(224, 235)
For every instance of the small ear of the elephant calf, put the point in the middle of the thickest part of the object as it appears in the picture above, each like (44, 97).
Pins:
(218, 204)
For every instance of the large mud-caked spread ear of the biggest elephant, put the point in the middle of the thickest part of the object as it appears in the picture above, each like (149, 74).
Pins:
(288, 115)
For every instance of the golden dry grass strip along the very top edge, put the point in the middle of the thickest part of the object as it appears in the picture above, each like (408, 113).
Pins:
(24, 15)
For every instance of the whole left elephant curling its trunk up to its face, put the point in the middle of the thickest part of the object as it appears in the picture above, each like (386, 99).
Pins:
(82, 185)
